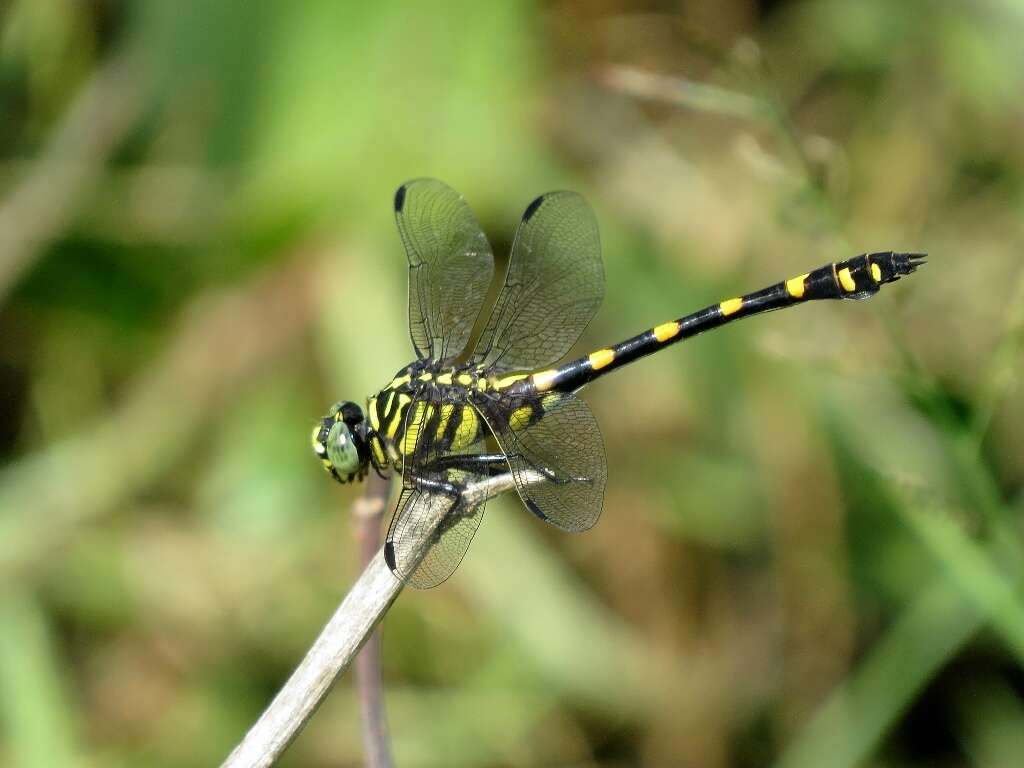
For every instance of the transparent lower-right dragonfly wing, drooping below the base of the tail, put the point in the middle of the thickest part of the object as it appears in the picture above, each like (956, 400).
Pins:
(560, 439)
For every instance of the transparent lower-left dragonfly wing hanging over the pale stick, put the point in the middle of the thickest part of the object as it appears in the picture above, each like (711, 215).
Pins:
(428, 520)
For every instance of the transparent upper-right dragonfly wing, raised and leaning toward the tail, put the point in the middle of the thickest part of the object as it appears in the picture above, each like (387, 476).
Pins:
(553, 287)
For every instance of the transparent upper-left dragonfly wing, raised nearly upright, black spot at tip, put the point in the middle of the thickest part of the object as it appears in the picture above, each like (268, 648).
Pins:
(450, 267)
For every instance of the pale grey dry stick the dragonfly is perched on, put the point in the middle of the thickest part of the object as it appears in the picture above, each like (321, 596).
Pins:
(352, 624)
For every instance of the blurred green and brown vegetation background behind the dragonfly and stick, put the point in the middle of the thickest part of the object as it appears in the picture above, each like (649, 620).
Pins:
(812, 549)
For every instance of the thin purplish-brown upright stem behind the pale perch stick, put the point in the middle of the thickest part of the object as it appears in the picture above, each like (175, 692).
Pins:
(368, 511)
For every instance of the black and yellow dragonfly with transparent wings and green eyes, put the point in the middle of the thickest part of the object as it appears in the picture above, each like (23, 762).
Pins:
(474, 406)
